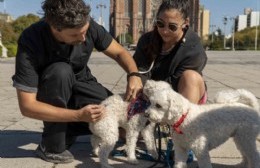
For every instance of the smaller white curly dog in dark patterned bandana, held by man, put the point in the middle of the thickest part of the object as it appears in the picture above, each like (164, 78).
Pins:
(106, 134)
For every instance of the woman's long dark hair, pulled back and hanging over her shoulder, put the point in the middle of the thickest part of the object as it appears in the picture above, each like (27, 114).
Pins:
(154, 48)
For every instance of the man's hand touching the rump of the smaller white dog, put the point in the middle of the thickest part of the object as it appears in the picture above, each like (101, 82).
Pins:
(92, 113)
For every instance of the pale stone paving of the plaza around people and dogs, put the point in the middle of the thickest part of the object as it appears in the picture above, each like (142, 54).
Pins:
(19, 136)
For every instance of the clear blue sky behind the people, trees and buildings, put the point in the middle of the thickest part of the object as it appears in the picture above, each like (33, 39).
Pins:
(217, 8)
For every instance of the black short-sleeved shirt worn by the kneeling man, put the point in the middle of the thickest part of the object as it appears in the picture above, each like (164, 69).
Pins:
(37, 49)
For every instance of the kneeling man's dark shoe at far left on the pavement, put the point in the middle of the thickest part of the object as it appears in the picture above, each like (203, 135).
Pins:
(64, 157)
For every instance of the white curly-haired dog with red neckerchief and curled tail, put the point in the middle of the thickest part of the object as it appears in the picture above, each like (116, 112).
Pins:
(204, 127)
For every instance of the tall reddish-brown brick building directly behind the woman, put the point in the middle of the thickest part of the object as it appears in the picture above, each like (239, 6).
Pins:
(135, 17)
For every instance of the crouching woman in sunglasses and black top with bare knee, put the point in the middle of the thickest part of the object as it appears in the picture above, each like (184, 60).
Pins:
(172, 52)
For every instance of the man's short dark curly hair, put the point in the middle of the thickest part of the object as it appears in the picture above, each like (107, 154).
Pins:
(62, 14)
